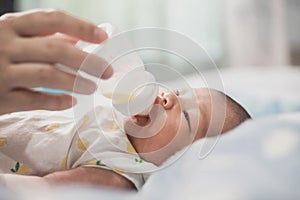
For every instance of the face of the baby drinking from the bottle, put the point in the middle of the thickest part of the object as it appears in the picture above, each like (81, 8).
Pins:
(175, 121)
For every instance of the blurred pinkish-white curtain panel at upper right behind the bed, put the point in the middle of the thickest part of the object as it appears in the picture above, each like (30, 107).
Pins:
(257, 32)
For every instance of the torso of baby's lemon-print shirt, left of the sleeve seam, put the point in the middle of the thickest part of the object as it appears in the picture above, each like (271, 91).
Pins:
(35, 142)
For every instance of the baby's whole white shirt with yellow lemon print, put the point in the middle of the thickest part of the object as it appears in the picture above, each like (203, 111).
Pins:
(41, 142)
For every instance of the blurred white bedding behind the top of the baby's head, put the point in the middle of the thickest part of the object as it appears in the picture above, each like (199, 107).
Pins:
(262, 91)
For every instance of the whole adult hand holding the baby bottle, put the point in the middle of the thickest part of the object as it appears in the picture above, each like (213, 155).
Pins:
(30, 48)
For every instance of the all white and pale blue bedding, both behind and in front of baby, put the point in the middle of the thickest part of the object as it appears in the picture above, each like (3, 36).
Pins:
(258, 160)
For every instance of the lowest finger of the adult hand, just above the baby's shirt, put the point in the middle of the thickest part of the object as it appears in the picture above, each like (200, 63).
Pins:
(24, 99)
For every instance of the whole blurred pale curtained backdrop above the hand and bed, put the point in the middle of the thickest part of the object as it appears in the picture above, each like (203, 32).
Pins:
(235, 33)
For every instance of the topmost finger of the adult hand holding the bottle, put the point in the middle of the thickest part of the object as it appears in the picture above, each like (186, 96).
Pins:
(47, 22)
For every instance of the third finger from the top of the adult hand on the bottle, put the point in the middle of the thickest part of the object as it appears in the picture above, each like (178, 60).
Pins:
(31, 75)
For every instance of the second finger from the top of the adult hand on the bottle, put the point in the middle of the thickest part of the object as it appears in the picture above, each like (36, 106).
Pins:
(52, 50)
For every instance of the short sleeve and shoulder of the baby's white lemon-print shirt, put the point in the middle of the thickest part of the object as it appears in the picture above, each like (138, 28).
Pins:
(99, 142)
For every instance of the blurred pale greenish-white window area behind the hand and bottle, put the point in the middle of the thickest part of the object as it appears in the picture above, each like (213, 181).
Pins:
(198, 19)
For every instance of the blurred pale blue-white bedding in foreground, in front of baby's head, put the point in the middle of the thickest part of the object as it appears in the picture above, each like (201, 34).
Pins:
(258, 160)
